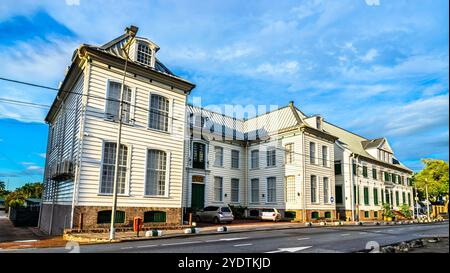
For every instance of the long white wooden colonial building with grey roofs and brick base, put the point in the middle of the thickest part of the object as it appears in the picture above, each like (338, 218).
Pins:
(176, 157)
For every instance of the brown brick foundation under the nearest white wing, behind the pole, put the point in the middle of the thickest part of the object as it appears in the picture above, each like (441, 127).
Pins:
(85, 217)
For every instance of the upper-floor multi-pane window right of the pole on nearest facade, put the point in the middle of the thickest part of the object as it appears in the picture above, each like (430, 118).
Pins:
(159, 113)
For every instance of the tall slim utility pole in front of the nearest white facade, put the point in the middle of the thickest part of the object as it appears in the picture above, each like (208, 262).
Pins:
(131, 32)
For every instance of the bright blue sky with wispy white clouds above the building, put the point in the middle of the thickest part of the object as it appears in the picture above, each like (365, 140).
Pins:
(375, 67)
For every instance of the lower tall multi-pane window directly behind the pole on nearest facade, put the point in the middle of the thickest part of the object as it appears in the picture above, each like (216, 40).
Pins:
(108, 168)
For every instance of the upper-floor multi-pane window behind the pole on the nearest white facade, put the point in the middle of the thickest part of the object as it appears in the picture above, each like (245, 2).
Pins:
(113, 102)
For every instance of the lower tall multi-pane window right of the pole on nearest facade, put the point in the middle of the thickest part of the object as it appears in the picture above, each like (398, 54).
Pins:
(155, 184)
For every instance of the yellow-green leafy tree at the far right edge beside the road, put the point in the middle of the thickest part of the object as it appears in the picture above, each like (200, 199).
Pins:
(435, 173)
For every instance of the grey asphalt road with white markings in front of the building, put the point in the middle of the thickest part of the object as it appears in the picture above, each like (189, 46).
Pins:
(298, 240)
